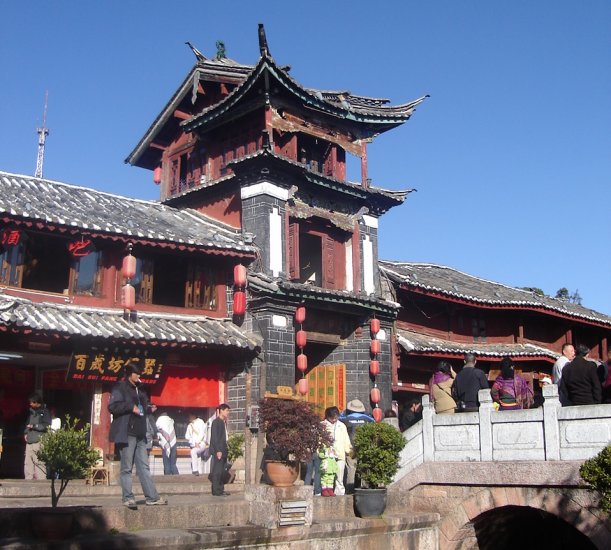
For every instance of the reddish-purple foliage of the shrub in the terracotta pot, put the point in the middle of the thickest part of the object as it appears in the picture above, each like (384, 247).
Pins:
(293, 429)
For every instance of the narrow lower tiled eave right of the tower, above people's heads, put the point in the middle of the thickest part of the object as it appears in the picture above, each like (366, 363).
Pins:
(423, 343)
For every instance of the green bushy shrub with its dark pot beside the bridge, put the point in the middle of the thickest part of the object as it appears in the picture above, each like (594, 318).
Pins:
(377, 446)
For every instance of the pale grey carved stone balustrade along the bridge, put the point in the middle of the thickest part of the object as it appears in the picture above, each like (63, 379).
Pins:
(551, 432)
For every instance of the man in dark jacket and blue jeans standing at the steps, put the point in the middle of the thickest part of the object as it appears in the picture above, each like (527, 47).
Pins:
(129, 406)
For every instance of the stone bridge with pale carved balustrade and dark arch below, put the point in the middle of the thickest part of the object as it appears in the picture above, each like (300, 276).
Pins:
(506, 479)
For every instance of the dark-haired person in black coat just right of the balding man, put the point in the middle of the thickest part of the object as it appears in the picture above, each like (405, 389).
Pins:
(579, 384)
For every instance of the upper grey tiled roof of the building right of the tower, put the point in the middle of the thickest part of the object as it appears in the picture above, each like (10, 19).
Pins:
(453, 283)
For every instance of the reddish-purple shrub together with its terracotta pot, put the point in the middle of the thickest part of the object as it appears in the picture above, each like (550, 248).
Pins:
(294, 432)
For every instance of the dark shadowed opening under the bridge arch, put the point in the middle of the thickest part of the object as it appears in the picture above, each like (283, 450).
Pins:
(511, 527)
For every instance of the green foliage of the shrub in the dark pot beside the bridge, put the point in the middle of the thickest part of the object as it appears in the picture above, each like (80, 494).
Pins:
(377, 447)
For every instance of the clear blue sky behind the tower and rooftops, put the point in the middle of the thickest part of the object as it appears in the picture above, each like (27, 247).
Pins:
(510, 155)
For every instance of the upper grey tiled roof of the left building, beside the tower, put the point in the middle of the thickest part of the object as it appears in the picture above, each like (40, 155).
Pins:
(34, 199)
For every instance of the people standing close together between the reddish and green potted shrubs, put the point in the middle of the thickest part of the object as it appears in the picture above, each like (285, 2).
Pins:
(332, 470)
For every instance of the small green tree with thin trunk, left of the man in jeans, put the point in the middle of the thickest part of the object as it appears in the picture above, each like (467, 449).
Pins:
(67, 455)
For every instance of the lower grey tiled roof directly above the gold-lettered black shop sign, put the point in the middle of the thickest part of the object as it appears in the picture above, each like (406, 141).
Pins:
(71, 320)
